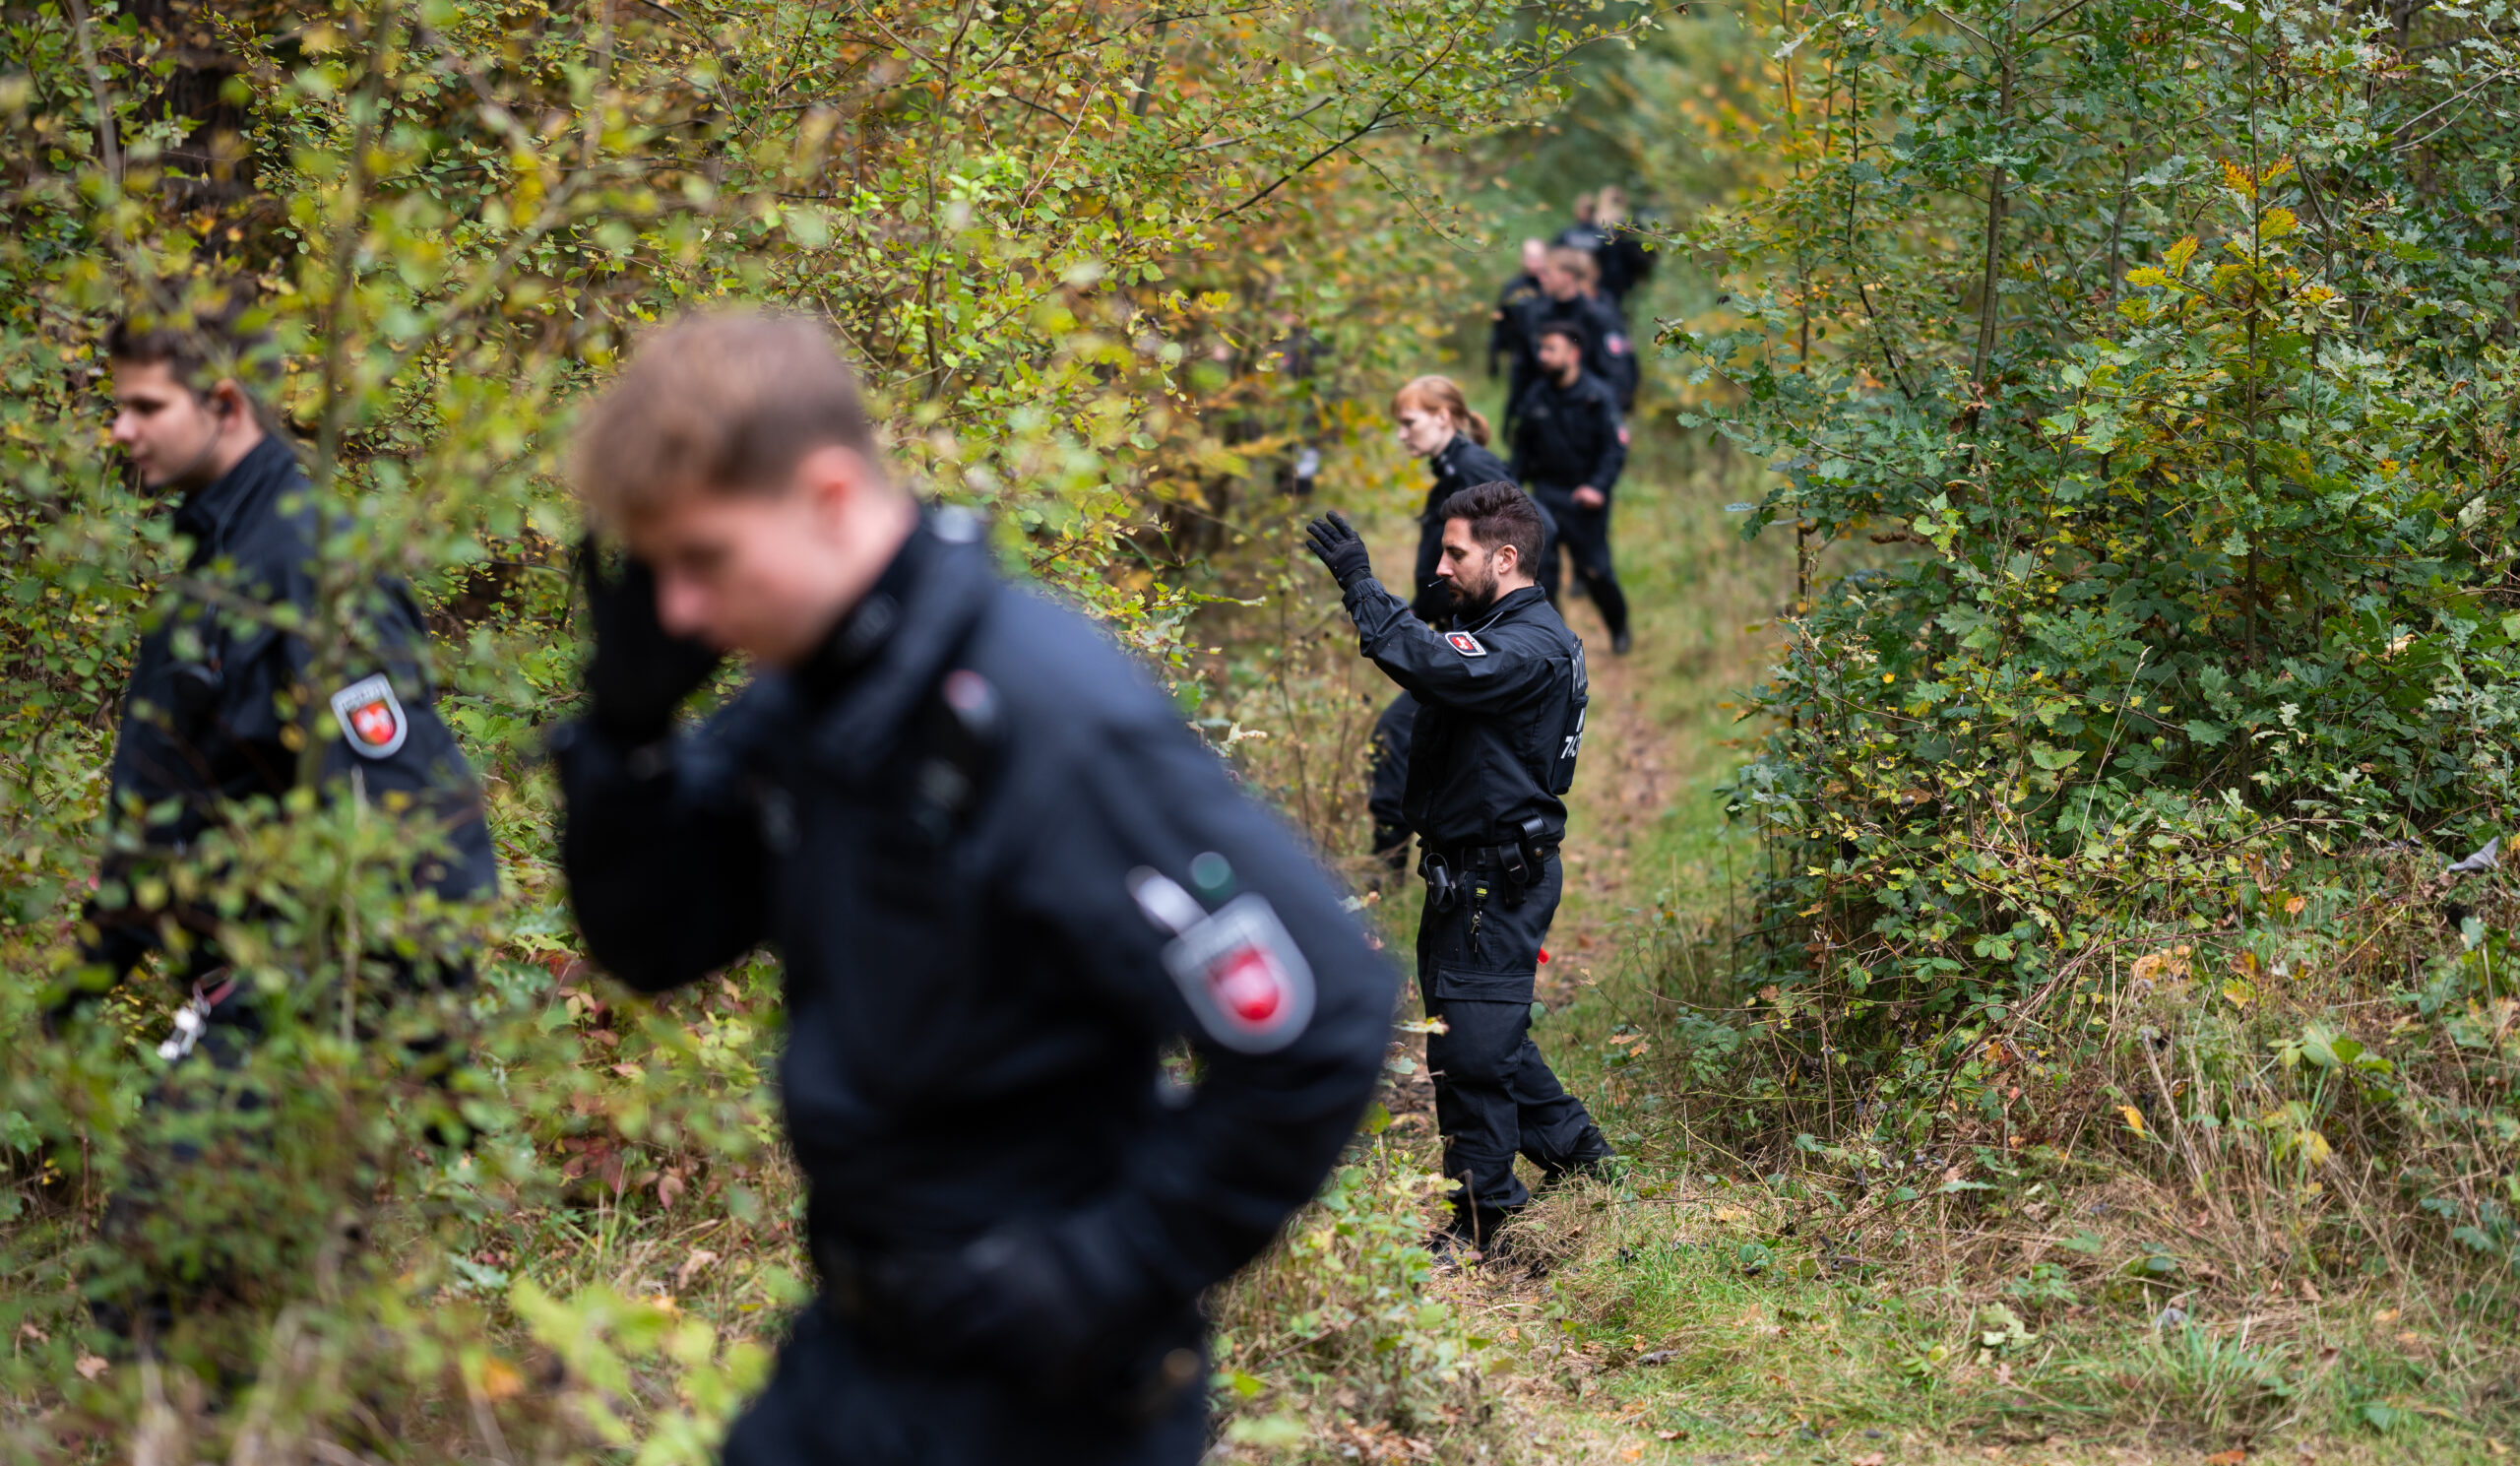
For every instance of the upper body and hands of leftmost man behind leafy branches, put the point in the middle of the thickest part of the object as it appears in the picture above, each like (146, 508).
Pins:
(226, 691)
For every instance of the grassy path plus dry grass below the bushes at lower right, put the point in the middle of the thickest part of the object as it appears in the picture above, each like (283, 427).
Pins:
(2236, 1193)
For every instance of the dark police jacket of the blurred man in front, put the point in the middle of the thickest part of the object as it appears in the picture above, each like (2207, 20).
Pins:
(941, 827)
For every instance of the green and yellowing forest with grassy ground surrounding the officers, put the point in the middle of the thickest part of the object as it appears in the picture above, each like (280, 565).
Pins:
(2090, 1037)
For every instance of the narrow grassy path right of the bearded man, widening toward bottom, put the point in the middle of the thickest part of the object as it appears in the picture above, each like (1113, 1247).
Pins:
(1677, 1319)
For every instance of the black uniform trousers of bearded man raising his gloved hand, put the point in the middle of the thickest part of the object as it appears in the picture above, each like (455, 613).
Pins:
(1493, 1092)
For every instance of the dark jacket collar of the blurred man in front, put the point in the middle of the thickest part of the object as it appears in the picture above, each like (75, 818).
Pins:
(896, 646)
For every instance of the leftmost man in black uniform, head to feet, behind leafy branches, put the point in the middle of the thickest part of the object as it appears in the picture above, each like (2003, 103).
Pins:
(228, 712)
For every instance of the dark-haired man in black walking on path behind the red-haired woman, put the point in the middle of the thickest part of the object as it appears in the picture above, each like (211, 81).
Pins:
(1569, 447)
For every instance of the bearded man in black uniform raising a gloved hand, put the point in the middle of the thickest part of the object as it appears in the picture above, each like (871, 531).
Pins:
(1491, 759)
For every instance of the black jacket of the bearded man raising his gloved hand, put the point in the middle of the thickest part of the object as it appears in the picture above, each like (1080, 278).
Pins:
(1501, 714)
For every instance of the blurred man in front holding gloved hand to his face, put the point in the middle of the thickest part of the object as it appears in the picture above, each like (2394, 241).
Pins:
(1002, 875)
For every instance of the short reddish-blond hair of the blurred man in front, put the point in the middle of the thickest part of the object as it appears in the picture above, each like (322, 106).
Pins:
(722, 402)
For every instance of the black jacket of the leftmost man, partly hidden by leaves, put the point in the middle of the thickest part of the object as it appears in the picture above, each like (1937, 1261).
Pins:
(223, 699)
